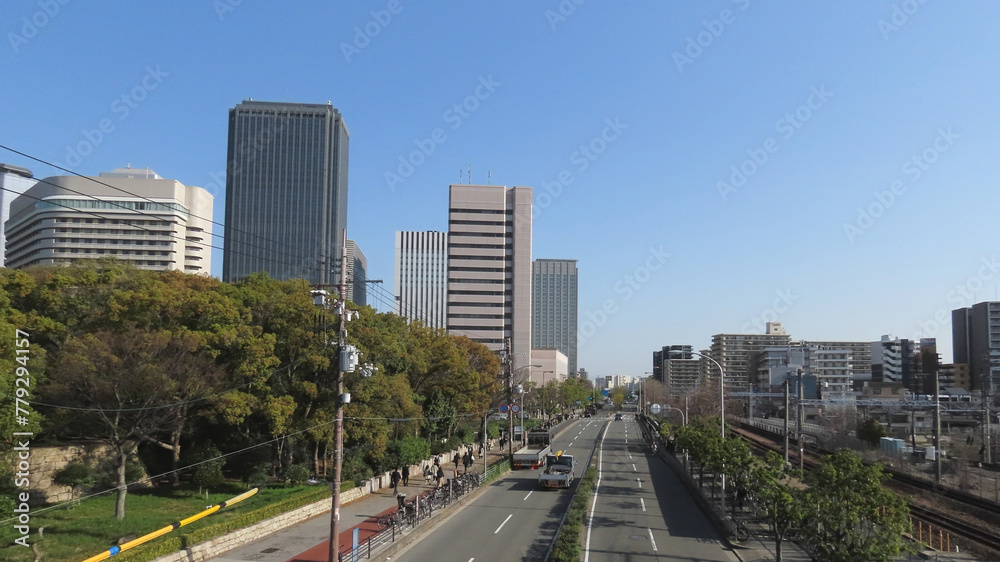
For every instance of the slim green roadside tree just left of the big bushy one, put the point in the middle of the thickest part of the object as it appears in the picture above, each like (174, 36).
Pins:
(776, 497)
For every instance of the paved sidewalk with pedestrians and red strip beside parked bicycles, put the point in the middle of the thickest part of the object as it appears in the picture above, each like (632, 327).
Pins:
(309, 541)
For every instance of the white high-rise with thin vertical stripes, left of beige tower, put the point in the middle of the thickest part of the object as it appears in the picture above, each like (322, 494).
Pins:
(421, 277)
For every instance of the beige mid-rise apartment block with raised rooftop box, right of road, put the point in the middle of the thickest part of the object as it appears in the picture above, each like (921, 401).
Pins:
(737, 352)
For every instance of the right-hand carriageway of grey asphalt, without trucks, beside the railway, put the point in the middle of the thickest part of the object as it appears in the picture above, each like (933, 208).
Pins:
(643, 512)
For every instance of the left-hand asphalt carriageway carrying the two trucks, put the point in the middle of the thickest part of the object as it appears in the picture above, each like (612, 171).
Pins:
(514, 519)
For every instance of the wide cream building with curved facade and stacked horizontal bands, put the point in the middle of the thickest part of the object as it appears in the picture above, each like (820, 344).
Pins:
(129, 214)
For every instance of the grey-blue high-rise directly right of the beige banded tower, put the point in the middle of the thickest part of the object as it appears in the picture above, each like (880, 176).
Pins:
(554, 304)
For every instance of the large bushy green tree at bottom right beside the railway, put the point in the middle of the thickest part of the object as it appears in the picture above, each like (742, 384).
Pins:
(849, 515)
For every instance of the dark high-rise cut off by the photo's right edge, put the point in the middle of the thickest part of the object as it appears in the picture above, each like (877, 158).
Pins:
(976, 343)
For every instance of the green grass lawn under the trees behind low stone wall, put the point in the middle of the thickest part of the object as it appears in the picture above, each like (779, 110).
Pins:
(91, 528)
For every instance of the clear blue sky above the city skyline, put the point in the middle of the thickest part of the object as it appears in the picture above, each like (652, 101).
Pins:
(832, 165)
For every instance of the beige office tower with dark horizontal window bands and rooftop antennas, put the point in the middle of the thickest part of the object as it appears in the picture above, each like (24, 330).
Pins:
(489, 266)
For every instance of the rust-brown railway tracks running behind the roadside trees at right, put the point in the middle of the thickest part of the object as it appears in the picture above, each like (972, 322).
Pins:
(984, 536)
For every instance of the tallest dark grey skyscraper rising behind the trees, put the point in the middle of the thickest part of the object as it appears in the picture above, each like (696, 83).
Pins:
(286, 192)
